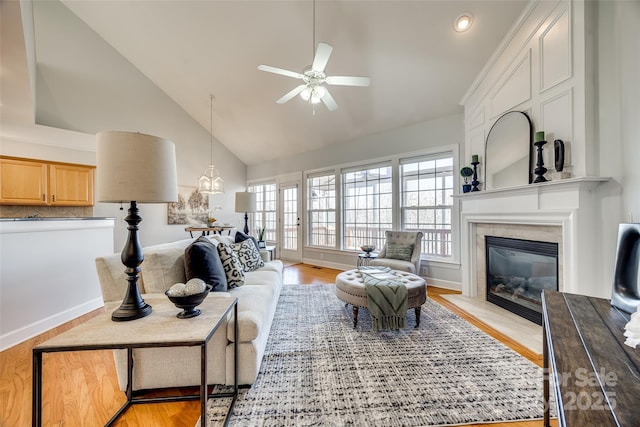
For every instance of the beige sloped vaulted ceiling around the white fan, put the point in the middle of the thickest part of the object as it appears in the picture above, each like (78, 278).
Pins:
(420, 68)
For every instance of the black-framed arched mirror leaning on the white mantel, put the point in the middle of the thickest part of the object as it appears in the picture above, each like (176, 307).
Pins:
(508, 152)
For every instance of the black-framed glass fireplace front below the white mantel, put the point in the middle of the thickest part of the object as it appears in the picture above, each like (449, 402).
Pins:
(517, 273)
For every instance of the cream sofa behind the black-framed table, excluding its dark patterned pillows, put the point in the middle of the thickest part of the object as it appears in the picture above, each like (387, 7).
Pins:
(178, 367)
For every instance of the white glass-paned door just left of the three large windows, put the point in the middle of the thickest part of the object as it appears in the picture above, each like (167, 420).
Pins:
(289, 221)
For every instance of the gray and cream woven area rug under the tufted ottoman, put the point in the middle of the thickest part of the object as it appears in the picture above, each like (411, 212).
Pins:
(319, 371)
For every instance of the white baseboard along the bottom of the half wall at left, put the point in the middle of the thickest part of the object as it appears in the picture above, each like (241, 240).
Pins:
(17, 336)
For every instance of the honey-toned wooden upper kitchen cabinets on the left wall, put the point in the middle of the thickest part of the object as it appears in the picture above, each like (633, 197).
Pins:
(34, 182)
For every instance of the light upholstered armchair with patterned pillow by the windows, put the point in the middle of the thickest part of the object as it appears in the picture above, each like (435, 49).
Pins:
(401, 251)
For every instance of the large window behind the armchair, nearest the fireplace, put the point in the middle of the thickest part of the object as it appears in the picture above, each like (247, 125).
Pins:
(426, 186)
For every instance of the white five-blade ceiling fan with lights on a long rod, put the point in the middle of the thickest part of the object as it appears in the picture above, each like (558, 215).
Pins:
(313, 79)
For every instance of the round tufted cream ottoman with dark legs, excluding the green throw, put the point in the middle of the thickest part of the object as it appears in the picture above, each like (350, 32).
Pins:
(350, 289)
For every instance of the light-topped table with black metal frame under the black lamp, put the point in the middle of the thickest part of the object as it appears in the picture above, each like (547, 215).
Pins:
(160, 329)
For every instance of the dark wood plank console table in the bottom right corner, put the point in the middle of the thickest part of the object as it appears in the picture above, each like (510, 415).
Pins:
(596, 377)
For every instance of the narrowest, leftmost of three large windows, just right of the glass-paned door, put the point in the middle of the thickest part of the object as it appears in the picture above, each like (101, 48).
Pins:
(321, 210)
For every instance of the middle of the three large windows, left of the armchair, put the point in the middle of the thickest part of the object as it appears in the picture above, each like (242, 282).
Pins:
(367, 205)
